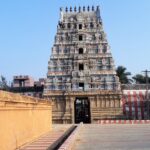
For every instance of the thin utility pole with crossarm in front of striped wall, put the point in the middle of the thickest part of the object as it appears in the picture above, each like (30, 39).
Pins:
(147, 96)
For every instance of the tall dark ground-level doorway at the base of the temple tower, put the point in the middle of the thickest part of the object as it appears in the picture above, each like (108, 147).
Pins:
(82, 110)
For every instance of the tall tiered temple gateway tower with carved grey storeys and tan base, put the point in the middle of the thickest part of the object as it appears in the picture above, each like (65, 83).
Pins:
(81, 79)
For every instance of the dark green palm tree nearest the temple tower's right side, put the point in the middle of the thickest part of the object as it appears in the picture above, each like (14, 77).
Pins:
(123, 75)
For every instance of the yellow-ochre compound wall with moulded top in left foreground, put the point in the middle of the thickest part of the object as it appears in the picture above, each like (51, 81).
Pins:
(22, 119)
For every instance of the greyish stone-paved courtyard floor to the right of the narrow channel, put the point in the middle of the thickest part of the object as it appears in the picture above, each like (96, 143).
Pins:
(113, 137)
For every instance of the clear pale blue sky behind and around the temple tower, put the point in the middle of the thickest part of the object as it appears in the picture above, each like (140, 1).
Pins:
(27, 30)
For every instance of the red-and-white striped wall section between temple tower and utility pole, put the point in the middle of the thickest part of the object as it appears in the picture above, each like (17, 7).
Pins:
(134, 104)
